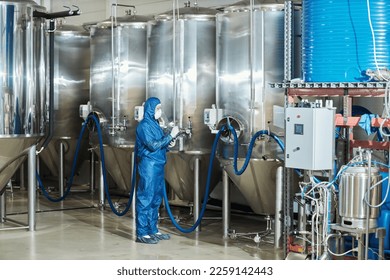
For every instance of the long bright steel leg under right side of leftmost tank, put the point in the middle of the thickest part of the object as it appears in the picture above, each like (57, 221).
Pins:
(32, 185)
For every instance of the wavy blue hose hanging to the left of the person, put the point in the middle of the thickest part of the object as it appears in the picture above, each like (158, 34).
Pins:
(70, 182)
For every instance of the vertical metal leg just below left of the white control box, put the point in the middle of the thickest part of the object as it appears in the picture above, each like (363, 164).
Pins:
(278, 208)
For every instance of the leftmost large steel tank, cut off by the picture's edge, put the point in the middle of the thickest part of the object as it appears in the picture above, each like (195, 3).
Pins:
(22, 83)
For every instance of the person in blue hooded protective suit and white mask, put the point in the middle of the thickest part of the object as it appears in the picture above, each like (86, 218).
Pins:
(152, 146)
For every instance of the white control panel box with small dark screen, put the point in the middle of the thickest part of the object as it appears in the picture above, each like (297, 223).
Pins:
(310, 137)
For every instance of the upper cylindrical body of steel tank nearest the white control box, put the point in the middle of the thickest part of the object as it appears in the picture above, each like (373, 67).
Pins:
(249, 57)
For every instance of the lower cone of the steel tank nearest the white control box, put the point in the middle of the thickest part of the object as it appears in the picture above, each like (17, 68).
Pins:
(257, 184)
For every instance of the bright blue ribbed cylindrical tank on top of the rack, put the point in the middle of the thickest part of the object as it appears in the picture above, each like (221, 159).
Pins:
(338, 44)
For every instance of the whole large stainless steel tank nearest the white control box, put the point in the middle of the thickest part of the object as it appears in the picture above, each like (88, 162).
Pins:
(250, 53)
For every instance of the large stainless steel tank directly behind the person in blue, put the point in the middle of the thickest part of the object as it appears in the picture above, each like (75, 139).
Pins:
(181, 73)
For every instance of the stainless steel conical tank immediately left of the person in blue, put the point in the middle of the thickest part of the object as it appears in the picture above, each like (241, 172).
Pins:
(118, 84)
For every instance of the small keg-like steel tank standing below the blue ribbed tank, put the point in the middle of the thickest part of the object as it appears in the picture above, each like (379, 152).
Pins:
(353, 190)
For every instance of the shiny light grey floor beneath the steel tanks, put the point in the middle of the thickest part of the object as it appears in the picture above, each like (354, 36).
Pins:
(76, 229)
